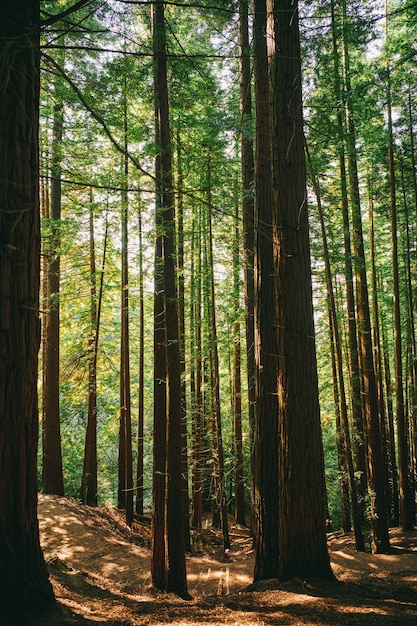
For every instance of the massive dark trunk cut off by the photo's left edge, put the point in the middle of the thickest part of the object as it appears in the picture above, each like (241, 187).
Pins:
(24, 584)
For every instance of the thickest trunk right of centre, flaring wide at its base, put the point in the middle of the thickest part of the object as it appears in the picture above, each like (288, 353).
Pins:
(302, 520)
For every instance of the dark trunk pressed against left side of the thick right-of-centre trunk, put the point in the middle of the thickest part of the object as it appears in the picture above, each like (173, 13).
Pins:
(266, 350)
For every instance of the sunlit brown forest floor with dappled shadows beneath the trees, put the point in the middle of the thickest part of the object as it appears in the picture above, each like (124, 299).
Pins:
(99, 569)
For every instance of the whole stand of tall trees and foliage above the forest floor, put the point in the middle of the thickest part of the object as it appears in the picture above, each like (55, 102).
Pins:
(208, 231)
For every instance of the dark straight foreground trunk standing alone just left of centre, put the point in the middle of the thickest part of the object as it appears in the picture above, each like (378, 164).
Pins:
(176, 575)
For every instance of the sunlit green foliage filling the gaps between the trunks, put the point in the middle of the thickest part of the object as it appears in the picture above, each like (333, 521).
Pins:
(104, 52)
